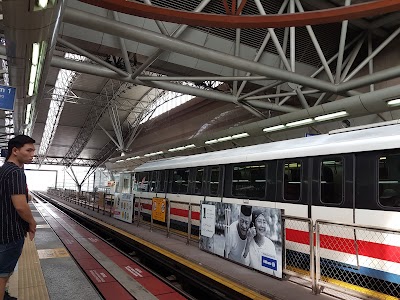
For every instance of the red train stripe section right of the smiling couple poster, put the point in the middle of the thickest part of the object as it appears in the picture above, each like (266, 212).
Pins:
(369, 249)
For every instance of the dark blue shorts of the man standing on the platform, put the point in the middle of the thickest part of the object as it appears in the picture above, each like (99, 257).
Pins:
(9, 255)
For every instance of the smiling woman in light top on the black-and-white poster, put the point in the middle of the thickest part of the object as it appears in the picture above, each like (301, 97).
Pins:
(260, 252)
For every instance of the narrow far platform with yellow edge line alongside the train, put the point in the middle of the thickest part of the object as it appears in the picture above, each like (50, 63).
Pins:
(250, 283)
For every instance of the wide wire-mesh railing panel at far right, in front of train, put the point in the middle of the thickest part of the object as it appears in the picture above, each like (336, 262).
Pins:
(350, 257)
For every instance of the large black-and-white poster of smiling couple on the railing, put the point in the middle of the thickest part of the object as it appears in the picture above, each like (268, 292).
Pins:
(249, 235)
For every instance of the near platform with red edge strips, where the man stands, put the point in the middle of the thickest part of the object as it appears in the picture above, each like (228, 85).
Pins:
(67, 261)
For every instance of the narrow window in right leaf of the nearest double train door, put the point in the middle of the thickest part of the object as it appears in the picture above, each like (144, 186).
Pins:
(332, 180)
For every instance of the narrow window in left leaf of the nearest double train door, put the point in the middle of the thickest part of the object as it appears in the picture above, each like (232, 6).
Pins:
(292, 180)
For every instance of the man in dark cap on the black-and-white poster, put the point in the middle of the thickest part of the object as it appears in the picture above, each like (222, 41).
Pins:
(236, 235)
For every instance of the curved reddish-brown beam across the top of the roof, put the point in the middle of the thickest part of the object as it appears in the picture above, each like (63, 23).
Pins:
(332, 15)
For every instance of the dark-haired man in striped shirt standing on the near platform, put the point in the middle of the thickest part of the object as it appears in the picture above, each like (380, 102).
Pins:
(16, 219)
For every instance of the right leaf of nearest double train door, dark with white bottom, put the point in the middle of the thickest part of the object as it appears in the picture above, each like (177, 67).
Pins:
(333, 188)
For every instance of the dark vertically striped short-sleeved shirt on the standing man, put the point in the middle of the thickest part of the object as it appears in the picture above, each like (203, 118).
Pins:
(12, 182)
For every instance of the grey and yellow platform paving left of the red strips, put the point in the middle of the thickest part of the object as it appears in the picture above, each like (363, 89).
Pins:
(46, 270)
